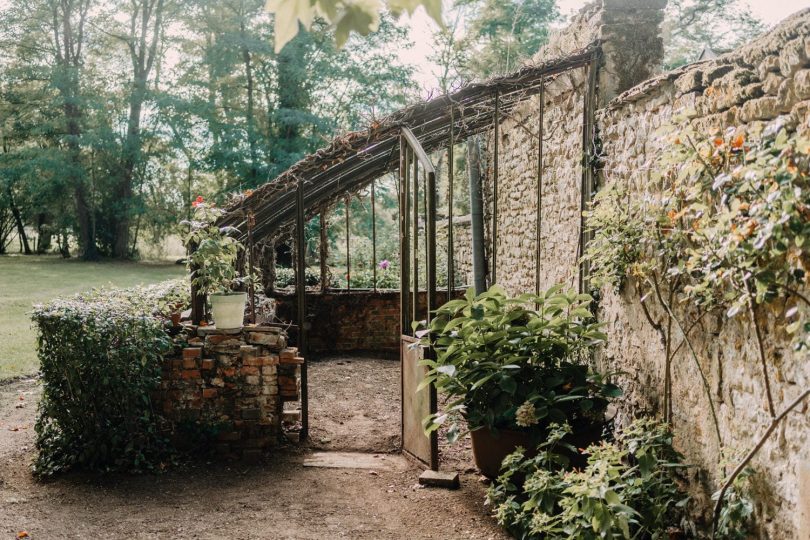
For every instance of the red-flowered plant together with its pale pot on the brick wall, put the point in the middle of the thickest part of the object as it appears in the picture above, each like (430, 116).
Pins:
(212, 264)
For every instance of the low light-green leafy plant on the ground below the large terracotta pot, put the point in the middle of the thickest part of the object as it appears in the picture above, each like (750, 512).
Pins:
(629, 488)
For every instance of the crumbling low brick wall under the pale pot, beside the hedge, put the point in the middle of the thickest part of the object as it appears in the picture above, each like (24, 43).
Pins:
(229, 387)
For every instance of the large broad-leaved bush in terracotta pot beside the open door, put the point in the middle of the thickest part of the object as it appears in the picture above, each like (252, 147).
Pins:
(513, 366)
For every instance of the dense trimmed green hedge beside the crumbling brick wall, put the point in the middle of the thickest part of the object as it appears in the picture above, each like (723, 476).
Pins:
(100, 360)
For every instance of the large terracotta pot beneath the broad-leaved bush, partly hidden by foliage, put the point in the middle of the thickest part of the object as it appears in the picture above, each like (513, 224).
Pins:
(489, 448)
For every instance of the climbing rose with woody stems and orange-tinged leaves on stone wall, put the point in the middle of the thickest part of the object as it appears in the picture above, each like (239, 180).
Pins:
(722, 227)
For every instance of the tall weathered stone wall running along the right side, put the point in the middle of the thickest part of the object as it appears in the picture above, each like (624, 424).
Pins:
(766, 80)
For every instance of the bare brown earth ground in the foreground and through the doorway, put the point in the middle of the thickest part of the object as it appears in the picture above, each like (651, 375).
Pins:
(354, 406)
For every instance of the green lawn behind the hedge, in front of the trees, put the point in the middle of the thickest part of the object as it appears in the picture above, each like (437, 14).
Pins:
(28, 280)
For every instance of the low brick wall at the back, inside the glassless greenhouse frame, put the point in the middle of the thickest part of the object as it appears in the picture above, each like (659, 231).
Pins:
(350, 321)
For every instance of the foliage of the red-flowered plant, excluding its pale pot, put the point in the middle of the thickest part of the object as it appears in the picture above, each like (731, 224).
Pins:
(213, 257)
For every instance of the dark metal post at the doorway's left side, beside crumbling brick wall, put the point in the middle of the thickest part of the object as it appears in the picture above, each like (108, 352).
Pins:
(301, 294)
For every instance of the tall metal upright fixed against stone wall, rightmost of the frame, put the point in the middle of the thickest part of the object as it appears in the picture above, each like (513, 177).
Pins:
(587, 186)
